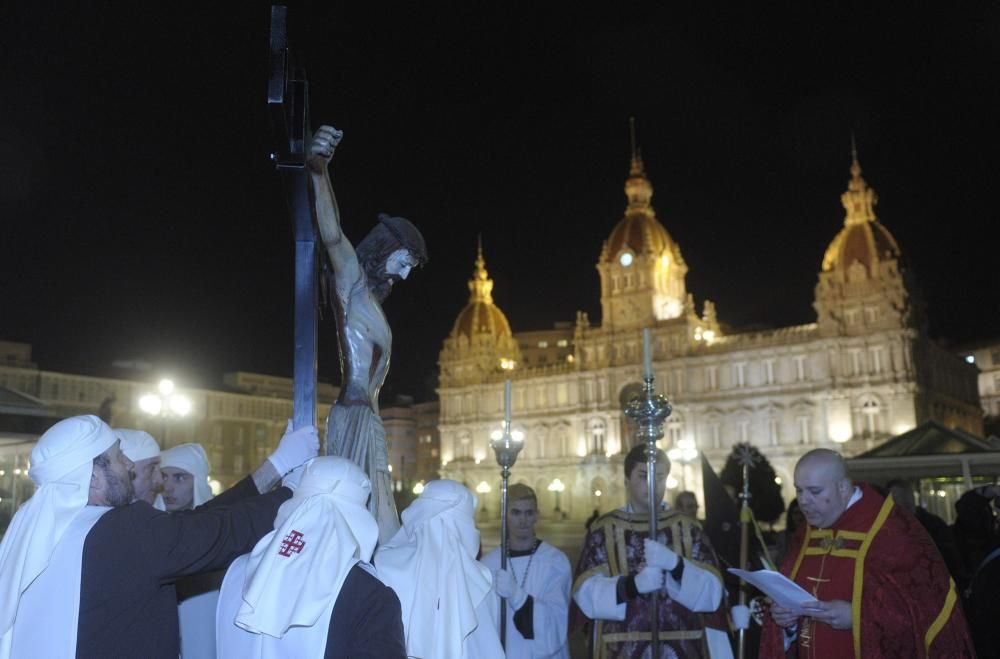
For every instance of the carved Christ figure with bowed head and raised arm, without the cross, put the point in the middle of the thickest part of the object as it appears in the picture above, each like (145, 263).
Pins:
(360, 279)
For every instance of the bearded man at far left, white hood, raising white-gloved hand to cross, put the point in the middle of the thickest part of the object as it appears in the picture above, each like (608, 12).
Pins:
(86, 571)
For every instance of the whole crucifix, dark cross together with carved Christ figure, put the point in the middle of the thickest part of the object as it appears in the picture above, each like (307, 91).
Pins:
(360, 279)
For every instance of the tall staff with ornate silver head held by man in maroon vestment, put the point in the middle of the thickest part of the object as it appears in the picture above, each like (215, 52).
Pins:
(649, 410)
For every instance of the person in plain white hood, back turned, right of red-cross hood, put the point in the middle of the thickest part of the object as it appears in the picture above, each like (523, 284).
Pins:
(449, 609)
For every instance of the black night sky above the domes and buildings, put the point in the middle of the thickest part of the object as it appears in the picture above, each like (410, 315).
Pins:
(141, 218)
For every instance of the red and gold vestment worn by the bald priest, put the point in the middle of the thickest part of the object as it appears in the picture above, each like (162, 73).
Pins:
(879, 558)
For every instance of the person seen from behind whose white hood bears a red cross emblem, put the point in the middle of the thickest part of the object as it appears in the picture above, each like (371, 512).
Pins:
(307, 589)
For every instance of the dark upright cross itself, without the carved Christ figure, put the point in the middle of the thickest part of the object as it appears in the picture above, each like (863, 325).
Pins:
(288, 103)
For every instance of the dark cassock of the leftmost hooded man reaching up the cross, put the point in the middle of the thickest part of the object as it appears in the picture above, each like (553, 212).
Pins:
(134, 554)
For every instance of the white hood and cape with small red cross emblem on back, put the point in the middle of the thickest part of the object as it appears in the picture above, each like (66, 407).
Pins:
(277, 603)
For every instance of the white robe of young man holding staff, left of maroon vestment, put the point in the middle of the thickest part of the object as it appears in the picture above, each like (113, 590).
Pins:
(548, 581)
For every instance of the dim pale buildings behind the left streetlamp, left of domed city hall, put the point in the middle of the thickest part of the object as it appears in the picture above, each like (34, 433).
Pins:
(238, 426)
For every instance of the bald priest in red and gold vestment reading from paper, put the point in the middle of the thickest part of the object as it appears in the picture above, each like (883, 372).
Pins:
(882, 589)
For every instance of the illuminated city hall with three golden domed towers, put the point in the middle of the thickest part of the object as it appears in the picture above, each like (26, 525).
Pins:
(863, 372)
